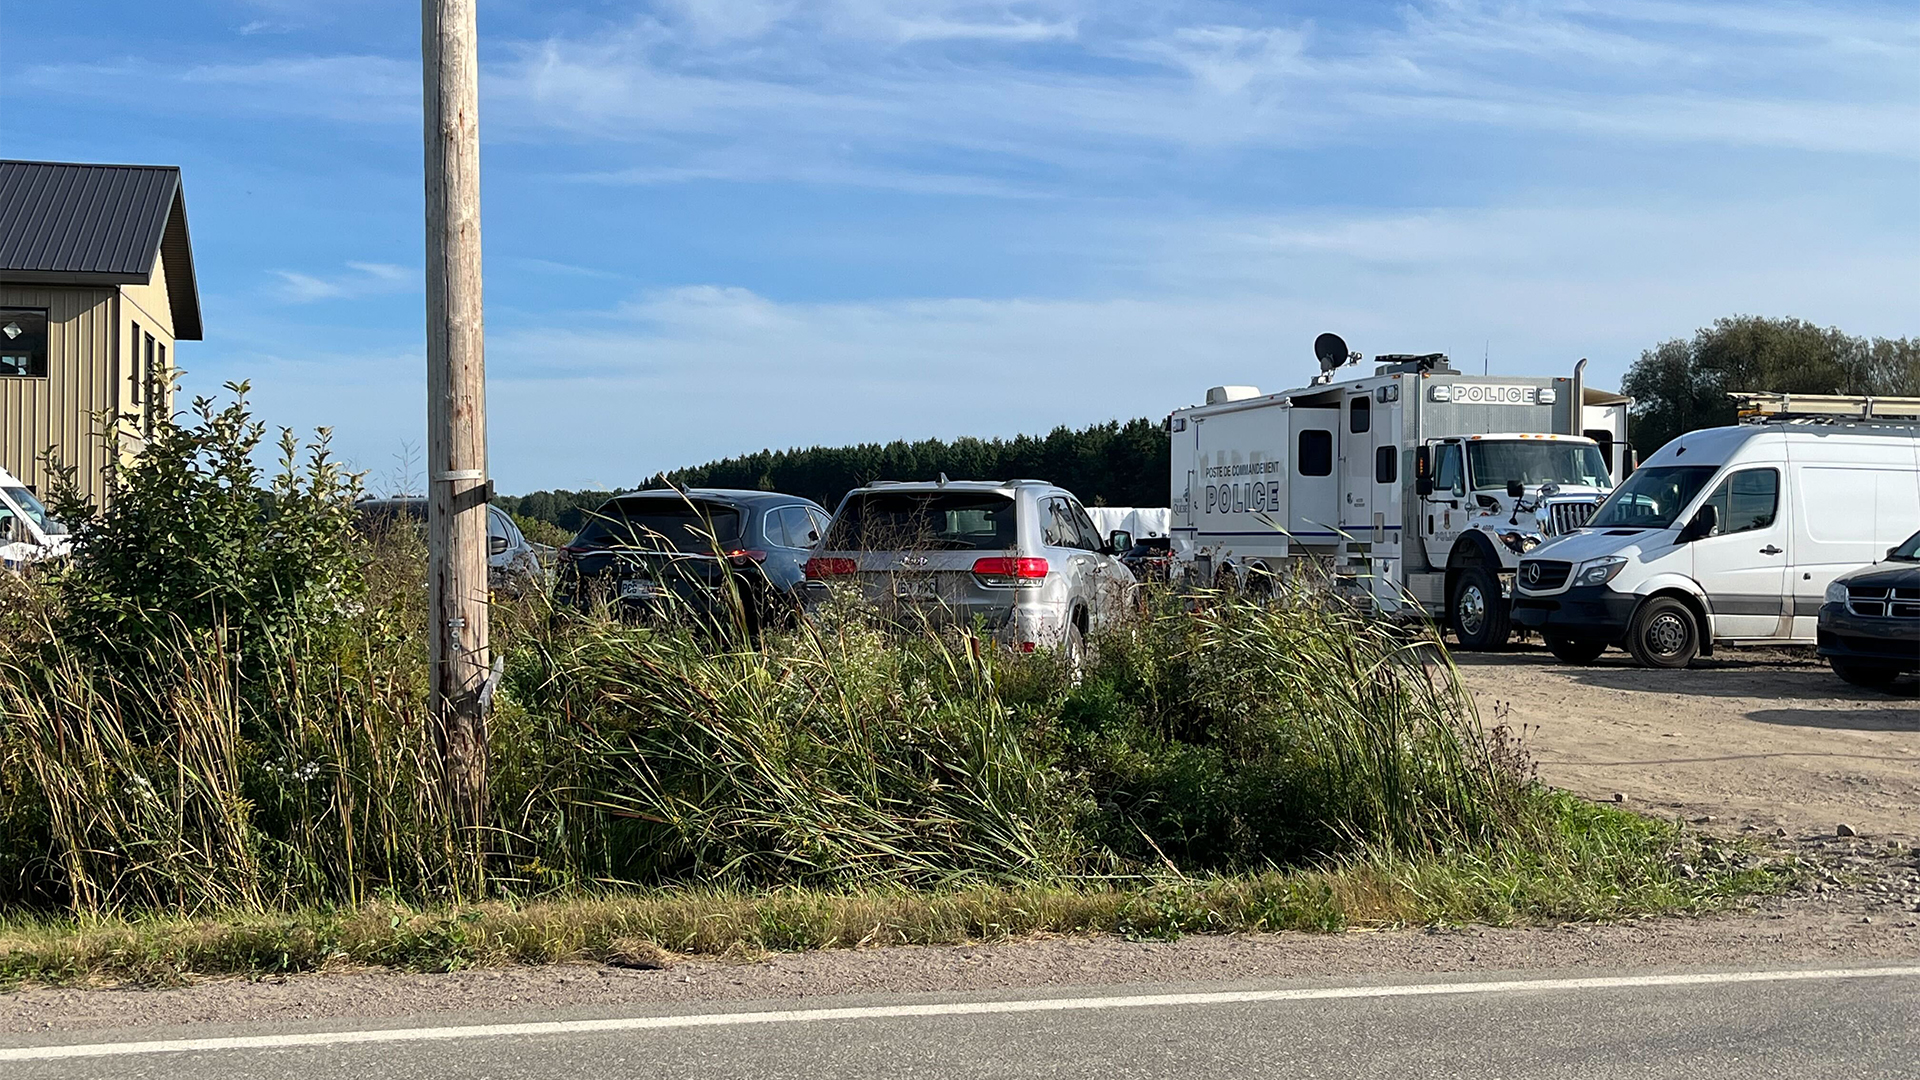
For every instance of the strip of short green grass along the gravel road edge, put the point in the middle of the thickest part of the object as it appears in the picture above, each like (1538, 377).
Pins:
(1600, 871)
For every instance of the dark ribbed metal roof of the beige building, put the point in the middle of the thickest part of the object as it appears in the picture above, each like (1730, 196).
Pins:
(66, 224)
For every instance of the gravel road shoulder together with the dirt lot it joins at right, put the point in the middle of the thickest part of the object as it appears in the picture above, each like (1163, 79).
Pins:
(1765, 745)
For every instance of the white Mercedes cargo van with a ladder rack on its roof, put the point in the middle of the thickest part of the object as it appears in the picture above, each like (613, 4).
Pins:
(1727, 537)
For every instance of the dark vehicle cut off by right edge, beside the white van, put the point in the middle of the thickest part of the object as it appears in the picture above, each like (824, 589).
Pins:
(1871, 620)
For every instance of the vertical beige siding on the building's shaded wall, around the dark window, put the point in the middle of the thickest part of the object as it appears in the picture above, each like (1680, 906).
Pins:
(59, 412)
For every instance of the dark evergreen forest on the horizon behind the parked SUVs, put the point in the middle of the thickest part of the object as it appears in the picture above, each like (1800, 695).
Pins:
(1113, 464)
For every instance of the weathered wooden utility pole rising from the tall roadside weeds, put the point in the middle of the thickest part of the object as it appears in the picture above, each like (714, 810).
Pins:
(456, 405)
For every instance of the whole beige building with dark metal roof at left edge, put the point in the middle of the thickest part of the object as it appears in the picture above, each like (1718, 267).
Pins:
(97, 285)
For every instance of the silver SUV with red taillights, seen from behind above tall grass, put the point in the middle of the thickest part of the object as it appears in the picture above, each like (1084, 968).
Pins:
(1017, 556)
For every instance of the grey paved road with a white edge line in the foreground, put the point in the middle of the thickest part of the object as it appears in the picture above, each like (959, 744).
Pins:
(1844, 1023)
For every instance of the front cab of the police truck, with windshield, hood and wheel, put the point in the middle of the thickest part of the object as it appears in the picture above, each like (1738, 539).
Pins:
(1485, 501)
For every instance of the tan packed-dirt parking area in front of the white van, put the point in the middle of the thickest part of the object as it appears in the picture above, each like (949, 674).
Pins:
(1764, 739)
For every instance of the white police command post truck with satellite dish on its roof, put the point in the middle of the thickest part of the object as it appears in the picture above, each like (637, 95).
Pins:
(1418, 487)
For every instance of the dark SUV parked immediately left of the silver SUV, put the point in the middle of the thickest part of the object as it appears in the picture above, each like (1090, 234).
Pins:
(704, 552)
